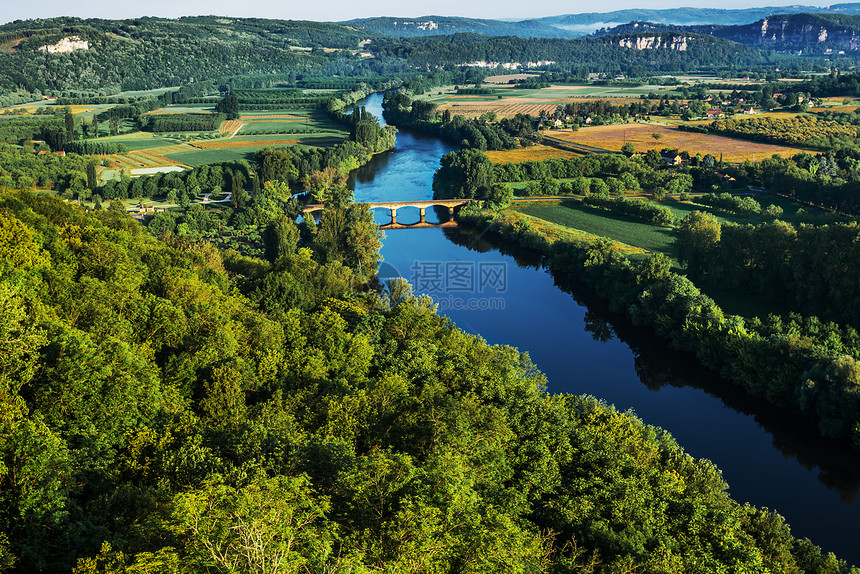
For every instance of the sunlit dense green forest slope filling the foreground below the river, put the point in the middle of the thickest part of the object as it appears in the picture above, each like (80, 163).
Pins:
(153, 390)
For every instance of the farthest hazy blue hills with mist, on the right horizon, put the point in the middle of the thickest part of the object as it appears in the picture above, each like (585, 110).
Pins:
(586, 23)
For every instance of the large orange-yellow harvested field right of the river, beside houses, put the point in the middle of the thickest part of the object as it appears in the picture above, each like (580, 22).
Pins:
(641, 136)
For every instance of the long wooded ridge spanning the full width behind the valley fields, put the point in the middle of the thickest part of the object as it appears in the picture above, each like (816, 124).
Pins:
(147, 53)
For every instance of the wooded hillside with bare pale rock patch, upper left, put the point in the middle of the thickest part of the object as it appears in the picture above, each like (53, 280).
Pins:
(150, 52)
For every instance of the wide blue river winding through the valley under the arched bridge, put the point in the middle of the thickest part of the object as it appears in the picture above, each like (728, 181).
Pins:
(769, 457)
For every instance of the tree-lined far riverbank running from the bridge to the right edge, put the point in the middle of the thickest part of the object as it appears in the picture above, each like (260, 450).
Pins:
(789, 369)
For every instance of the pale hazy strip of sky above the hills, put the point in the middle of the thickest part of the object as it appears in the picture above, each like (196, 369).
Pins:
(333, 10)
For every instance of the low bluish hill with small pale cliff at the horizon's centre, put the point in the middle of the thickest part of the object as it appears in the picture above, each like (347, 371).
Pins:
(436, 25)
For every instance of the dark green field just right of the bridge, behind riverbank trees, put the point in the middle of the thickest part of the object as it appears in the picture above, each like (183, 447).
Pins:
(606, 224)
